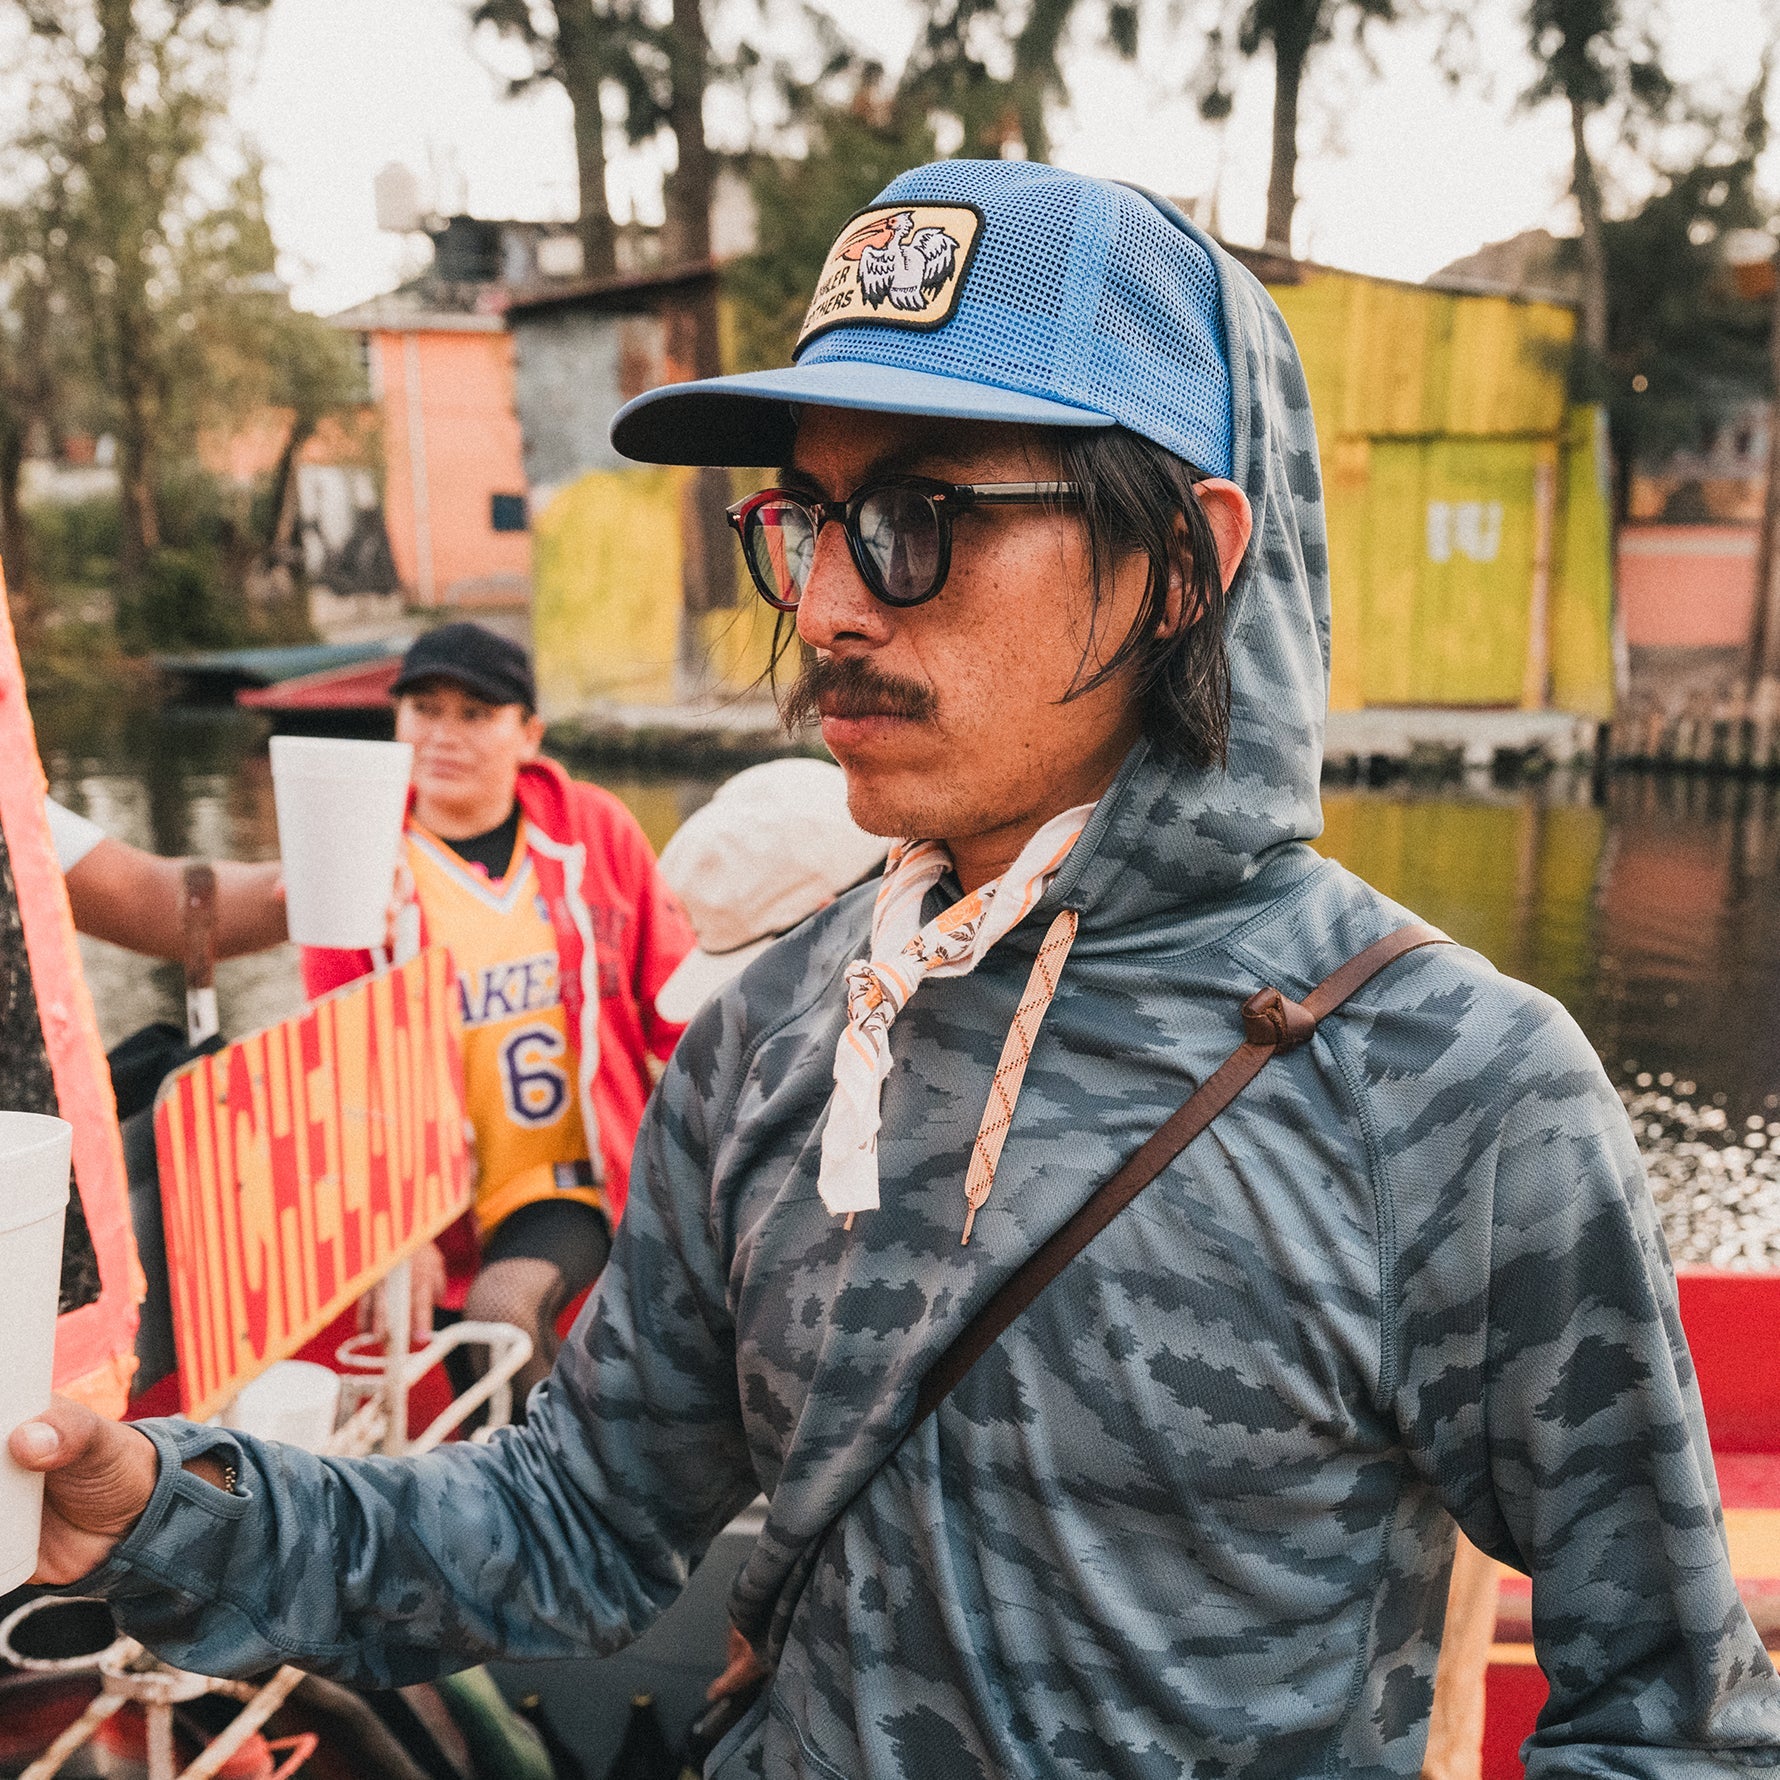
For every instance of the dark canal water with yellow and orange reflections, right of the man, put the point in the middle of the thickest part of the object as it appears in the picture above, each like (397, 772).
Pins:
(1653, 918)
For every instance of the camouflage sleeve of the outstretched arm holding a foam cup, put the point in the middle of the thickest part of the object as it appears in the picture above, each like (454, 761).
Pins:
(560, 1539)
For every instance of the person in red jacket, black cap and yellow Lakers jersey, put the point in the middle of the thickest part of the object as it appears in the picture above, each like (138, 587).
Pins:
(547, 896)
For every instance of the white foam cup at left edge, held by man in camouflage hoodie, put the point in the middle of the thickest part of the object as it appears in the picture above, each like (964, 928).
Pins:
(33, 1204)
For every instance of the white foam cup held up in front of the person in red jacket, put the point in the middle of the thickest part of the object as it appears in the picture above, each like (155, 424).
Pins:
(341, 811)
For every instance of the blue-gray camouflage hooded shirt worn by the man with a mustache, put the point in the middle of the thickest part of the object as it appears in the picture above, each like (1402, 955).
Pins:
(1195, 1514)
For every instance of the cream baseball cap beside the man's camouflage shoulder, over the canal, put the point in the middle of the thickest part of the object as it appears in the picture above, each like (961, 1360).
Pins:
(770, 850)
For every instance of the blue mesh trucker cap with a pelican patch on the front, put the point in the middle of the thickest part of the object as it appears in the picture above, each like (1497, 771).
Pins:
(983, 291)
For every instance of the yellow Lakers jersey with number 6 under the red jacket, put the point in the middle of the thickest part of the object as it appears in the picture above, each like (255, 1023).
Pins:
(519, 1058)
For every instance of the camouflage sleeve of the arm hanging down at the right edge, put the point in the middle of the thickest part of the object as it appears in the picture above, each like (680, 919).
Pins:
(1542, 1380)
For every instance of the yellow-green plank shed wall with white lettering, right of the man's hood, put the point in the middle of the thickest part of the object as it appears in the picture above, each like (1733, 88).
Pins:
(1468, 524)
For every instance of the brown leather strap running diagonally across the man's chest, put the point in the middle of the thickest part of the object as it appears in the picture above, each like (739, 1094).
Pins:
(1270, 1024)
